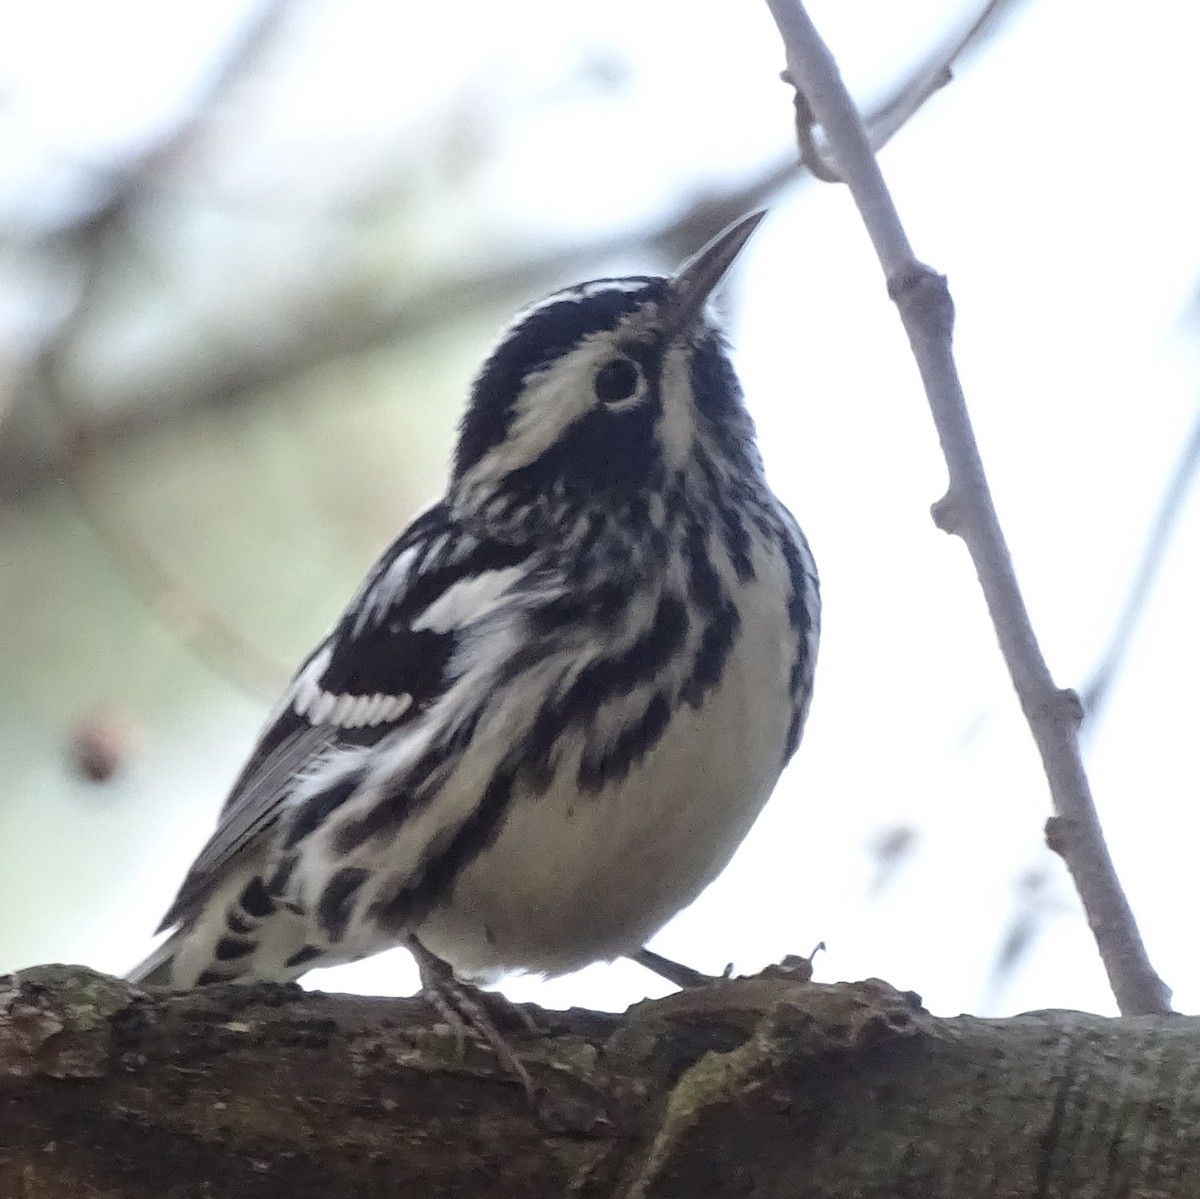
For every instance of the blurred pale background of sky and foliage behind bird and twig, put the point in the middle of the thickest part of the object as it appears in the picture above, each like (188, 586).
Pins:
(253, 254)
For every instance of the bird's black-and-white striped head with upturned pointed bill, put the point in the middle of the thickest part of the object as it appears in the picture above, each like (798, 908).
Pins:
(605, 393)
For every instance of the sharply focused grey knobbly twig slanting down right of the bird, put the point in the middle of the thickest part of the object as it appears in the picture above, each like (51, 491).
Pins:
(1054, 715)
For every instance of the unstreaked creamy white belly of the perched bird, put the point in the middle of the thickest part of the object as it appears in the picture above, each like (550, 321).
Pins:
(577, 878)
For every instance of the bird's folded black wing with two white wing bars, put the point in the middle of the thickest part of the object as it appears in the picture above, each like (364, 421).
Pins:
(383, 664)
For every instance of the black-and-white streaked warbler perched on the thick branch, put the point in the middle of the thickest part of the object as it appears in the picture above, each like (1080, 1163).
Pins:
(560, 700)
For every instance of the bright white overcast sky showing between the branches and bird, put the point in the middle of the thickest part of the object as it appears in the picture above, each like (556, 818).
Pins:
(1055, 184)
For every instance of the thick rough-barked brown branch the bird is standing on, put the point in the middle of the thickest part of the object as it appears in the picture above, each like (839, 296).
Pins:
(767, 1087)
